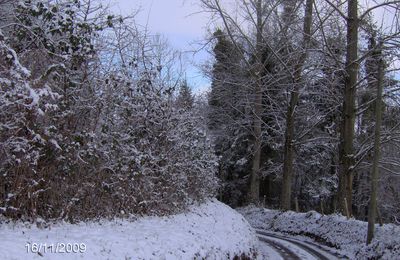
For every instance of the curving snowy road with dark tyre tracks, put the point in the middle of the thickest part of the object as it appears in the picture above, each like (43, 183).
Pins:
(291, 248)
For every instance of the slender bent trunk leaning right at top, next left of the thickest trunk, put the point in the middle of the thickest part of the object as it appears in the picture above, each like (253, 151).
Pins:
(290, 115)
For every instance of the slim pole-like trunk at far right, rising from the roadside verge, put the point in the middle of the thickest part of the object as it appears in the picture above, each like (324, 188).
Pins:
(377, 147)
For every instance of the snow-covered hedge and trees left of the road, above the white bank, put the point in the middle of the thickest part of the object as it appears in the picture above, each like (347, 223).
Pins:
(90, 123)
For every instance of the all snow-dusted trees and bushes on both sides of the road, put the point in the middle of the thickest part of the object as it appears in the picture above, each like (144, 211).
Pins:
(97, 119)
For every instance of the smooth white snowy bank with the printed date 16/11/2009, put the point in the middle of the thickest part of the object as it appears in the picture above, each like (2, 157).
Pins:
(211, 230)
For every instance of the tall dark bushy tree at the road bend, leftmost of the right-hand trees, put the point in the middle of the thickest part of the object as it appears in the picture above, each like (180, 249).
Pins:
(228, 120)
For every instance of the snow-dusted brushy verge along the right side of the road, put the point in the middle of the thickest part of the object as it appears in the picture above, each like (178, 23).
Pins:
(348, 236)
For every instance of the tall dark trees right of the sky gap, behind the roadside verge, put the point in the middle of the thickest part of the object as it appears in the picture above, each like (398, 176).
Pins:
(293, 104)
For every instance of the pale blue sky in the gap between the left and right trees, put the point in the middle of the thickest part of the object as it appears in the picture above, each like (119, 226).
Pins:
(180, 22)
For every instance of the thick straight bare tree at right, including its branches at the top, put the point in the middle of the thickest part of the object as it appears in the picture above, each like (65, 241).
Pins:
(347, 156)
